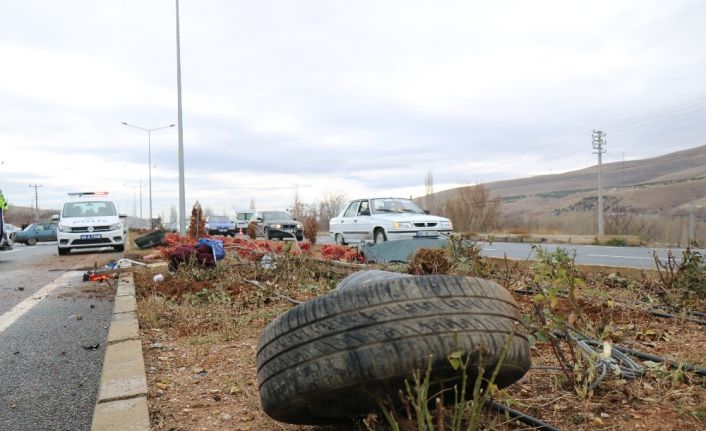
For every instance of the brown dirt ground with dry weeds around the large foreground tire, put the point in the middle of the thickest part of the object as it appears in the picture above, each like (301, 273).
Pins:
(200, 331)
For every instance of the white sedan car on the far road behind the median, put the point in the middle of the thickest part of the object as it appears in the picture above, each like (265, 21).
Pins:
(385, 219)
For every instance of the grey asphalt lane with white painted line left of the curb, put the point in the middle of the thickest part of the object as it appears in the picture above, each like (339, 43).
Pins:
(53, 331)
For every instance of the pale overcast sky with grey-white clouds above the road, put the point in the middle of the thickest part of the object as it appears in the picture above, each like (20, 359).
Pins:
(354, 97)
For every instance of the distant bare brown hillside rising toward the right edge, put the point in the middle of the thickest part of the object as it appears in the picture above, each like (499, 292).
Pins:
(664, 184)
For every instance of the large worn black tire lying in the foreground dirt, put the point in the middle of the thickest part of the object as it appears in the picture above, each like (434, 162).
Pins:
(330, 358)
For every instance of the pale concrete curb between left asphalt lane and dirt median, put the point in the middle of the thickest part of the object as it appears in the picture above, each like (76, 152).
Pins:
(122, 396)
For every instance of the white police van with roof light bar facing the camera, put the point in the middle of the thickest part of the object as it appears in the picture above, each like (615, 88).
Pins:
(89, 219)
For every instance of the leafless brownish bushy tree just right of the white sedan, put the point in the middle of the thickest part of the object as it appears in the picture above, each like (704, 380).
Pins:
(471, 209)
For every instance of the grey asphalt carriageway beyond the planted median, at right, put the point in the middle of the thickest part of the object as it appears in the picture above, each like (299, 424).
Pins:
(621, 257)
